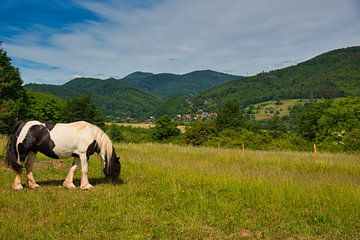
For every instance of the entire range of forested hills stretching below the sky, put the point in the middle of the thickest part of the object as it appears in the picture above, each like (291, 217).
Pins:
(140, 94)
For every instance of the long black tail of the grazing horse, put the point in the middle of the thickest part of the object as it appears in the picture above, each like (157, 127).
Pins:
(11, 151)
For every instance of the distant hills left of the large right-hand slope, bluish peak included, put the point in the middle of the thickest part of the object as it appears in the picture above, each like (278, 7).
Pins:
(137, 95)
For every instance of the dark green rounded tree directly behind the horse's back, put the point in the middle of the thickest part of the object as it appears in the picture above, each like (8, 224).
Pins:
(82, 108)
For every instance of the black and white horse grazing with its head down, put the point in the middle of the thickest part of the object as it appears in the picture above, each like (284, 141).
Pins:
(60, 140)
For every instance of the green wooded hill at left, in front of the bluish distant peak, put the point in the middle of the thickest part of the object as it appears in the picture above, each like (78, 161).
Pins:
(112, 97)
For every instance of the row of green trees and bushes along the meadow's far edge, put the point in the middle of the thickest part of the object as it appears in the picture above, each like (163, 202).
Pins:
(334, 125)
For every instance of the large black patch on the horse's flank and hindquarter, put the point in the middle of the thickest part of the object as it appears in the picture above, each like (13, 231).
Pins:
(37, 140)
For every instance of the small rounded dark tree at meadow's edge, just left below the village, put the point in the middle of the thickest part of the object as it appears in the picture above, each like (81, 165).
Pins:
(165, 129)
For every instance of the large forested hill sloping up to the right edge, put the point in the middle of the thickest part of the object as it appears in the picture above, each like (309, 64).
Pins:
(329, 75)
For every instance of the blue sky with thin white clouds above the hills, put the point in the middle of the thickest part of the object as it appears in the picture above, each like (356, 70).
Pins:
(53, 41)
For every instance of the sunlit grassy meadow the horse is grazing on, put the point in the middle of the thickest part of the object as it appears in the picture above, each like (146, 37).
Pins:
(181, 192)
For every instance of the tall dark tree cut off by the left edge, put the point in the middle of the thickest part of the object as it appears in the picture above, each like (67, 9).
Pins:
(12, 94)
